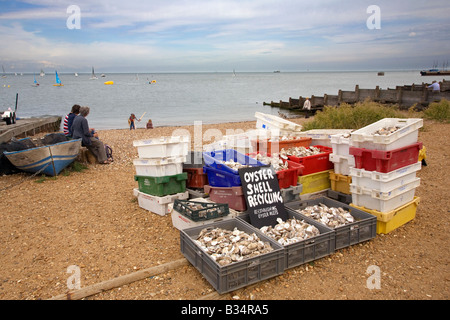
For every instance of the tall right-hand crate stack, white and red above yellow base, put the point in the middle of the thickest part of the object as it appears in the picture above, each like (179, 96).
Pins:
(384, 178)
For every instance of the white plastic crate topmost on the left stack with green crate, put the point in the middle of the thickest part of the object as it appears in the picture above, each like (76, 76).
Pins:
(161, 147)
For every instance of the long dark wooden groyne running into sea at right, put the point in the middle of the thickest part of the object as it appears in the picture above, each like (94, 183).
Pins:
(403, 96)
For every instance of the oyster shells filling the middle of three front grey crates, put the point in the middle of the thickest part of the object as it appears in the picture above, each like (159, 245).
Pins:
(290, 231)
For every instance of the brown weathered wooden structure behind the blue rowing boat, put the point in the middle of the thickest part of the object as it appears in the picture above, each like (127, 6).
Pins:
(29, 127)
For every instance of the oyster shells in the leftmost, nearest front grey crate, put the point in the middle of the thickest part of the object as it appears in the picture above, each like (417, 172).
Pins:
(226, 246)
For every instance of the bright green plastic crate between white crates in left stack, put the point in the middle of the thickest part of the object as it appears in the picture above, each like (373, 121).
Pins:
(162, 186)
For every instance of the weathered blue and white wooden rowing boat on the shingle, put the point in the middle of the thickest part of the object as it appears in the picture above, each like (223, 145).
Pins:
(47, 159)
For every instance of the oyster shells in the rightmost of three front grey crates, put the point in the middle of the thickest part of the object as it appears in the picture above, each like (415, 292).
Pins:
(332, 217)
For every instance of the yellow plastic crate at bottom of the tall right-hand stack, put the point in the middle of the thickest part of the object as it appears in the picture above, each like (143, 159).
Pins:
(388, 221)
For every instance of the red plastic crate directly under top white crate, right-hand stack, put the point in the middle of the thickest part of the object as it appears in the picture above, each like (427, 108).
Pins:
(385, 161)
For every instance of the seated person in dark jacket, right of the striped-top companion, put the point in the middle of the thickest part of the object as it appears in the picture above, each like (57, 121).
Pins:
(80, 129)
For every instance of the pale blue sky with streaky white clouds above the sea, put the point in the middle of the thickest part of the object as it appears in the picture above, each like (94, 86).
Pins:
(221, 36)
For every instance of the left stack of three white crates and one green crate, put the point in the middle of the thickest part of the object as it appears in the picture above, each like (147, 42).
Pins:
(159, 172)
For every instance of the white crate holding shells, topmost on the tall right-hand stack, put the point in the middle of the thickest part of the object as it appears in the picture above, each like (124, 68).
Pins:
(407, 134)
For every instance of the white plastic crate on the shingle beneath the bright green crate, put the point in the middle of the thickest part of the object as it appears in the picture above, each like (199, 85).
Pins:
(158, 205)
